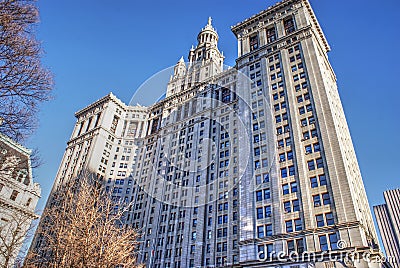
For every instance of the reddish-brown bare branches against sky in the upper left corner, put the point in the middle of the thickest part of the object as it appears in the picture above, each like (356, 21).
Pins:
(24, 82)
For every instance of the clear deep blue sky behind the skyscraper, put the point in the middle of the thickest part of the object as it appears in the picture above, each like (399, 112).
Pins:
(94, 47)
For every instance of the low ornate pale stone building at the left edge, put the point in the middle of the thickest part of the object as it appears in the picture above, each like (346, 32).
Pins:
(18, 197)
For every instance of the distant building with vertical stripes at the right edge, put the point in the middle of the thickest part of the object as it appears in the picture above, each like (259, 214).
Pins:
(388, 219)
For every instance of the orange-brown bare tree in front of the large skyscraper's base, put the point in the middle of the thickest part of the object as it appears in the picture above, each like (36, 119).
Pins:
(82, 228)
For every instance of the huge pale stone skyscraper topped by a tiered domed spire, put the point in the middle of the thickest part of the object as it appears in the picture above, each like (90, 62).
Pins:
(248, 166)
